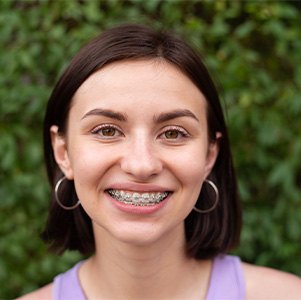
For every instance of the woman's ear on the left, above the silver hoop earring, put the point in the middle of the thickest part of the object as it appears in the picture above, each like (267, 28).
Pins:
(59, 146)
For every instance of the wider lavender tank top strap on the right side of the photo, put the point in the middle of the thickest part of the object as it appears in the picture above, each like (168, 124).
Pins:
(227, 279)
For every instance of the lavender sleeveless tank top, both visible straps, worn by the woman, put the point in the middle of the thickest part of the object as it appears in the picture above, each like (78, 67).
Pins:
(226, 282)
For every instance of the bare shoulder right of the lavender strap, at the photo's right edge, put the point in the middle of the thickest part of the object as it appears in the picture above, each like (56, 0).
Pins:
(267, 283)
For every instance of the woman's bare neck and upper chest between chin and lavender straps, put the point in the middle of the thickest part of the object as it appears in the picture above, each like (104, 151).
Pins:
(155, 271)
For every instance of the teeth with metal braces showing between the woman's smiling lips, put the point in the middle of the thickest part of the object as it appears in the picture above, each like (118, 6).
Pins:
(137, 199)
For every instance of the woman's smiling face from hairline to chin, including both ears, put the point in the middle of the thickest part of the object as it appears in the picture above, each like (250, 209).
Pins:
(137, 148)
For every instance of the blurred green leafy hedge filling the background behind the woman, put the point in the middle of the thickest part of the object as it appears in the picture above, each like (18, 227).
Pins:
(253, 50)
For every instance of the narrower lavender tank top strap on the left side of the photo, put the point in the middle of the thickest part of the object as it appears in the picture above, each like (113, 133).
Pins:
(66, 286)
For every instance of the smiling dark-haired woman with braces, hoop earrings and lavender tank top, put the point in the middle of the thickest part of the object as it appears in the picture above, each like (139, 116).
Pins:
(138, 156)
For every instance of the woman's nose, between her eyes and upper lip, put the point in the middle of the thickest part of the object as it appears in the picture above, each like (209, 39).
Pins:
(140, 159)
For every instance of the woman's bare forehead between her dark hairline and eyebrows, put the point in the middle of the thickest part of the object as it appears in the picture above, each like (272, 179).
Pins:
(147, 82)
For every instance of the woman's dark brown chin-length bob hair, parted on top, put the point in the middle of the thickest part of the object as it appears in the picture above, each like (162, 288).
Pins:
(207, 235)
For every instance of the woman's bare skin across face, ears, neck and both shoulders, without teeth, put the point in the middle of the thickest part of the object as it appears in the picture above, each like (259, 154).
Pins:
(158, 115)
